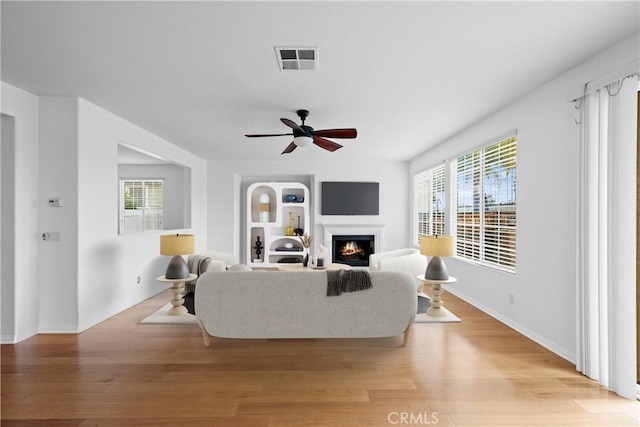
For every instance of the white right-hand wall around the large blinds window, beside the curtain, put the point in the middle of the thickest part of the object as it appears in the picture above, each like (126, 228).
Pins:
(543, 287)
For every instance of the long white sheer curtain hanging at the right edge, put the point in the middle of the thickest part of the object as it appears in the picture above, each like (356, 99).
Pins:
(606, 233)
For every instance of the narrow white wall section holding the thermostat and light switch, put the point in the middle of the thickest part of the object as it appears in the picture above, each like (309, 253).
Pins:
(58, 260)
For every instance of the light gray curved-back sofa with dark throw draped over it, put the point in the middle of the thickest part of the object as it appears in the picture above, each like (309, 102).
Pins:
(293, 304)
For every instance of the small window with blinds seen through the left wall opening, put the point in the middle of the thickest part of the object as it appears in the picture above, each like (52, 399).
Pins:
(141, 205)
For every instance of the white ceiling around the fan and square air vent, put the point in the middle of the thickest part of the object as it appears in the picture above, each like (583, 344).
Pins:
(202, 74)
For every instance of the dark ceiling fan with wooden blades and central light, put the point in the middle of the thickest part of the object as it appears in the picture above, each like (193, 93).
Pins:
(304, 135)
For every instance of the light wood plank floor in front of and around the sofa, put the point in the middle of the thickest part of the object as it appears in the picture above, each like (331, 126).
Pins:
(475, 373)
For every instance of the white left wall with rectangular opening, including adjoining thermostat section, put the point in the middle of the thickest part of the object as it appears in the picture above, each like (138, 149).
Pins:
(91, 274)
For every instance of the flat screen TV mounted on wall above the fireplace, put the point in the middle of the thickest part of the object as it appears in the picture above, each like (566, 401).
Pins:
(350, 198)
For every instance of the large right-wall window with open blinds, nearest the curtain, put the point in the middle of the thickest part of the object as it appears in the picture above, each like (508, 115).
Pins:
(486, 205)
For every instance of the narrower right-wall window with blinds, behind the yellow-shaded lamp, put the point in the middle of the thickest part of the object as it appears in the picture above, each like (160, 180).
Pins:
(429, 202)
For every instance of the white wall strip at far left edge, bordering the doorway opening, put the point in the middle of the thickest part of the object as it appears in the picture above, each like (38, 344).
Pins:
(23, 107)
